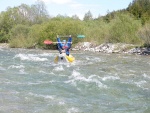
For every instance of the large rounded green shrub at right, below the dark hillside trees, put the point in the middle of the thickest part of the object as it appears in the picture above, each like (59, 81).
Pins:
(123, 29)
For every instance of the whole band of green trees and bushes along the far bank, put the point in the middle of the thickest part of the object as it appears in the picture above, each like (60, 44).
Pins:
(28, 26)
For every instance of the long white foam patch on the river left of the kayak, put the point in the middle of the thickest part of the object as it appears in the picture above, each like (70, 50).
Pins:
(30, 57)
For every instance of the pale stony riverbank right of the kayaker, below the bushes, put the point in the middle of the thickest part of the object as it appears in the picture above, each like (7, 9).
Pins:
(112, 48)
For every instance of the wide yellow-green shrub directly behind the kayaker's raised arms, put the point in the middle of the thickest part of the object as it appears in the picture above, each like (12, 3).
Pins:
(61, 27)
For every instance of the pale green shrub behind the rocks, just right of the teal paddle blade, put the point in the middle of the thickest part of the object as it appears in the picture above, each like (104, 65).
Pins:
(96, 31)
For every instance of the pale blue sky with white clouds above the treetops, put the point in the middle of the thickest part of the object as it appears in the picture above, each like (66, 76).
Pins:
(72, 7)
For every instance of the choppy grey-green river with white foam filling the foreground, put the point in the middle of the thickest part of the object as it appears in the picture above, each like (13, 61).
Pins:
(30, 82)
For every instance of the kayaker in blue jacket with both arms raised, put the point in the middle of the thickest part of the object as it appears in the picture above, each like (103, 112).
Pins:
(64, 46)
